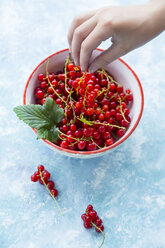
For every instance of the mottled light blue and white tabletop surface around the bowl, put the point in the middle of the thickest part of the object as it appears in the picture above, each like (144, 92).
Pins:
(127, 187)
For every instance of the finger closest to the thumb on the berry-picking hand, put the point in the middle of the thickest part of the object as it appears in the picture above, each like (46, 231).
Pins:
(92, 41)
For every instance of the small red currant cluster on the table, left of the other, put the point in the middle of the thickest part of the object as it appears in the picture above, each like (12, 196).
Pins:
(43, 176)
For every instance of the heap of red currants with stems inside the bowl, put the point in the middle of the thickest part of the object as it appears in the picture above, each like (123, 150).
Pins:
(96, 107)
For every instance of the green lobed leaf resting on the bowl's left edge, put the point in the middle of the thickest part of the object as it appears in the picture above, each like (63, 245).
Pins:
(44, 118)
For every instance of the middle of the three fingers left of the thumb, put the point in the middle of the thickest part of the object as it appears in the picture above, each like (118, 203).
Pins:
(79, 35)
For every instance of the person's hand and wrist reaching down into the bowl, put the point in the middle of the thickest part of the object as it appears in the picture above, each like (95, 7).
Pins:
(128, 27)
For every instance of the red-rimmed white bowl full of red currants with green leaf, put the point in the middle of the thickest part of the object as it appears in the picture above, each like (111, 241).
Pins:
(81, 114)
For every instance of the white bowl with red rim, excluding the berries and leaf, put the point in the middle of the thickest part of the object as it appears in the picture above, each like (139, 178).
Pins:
(121, 72)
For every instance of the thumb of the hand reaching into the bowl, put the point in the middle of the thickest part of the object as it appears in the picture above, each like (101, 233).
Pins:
(106, 57)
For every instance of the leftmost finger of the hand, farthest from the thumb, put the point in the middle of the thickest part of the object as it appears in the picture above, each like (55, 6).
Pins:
(77, 21)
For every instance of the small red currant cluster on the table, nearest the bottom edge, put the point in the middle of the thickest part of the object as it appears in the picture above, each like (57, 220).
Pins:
(91, 218)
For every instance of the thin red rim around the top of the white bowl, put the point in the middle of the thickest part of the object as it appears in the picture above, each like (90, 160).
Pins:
(103, 149)
